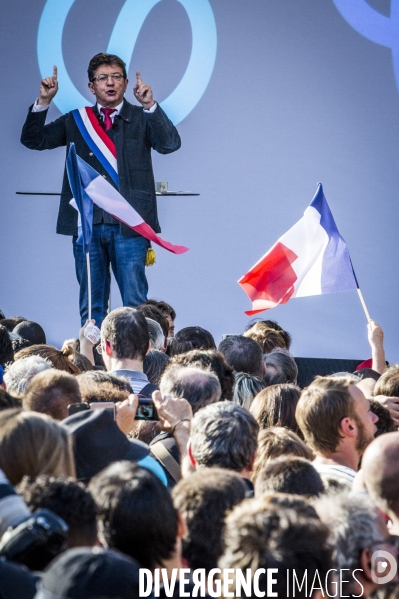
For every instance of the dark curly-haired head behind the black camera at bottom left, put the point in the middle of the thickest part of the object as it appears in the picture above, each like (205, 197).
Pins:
(70, 500)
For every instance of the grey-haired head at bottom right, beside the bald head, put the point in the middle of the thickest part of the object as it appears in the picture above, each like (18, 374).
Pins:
(357, 530)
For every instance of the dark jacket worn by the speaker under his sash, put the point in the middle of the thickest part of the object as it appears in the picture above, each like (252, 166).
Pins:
(134, 133)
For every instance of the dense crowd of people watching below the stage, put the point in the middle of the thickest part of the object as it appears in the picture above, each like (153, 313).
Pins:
(156, 451)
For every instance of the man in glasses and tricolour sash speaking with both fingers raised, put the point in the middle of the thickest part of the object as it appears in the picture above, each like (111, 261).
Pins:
(112, 130)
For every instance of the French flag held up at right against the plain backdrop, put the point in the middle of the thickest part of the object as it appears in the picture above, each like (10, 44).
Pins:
(310, 259)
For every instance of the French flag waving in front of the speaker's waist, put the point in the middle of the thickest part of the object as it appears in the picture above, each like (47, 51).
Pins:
(89, 187)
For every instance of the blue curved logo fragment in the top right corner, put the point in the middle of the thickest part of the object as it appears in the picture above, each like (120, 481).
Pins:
(372, 24)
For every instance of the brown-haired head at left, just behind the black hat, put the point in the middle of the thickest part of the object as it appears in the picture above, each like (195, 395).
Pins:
(50, 392)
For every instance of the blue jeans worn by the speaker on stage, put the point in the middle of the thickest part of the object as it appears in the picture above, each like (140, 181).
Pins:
(127, 257)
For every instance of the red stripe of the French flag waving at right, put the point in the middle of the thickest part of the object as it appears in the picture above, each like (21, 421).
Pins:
(271, 281)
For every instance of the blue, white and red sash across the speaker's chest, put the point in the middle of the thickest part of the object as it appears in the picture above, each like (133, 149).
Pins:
(98, 141)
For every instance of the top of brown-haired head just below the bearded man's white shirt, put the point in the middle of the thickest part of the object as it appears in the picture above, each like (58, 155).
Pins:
(289, 474)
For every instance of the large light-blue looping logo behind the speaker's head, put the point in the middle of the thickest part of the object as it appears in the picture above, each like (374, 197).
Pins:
(123, 38)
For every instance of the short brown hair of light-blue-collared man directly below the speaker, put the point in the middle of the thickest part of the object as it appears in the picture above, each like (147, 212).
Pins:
(126, 330)
